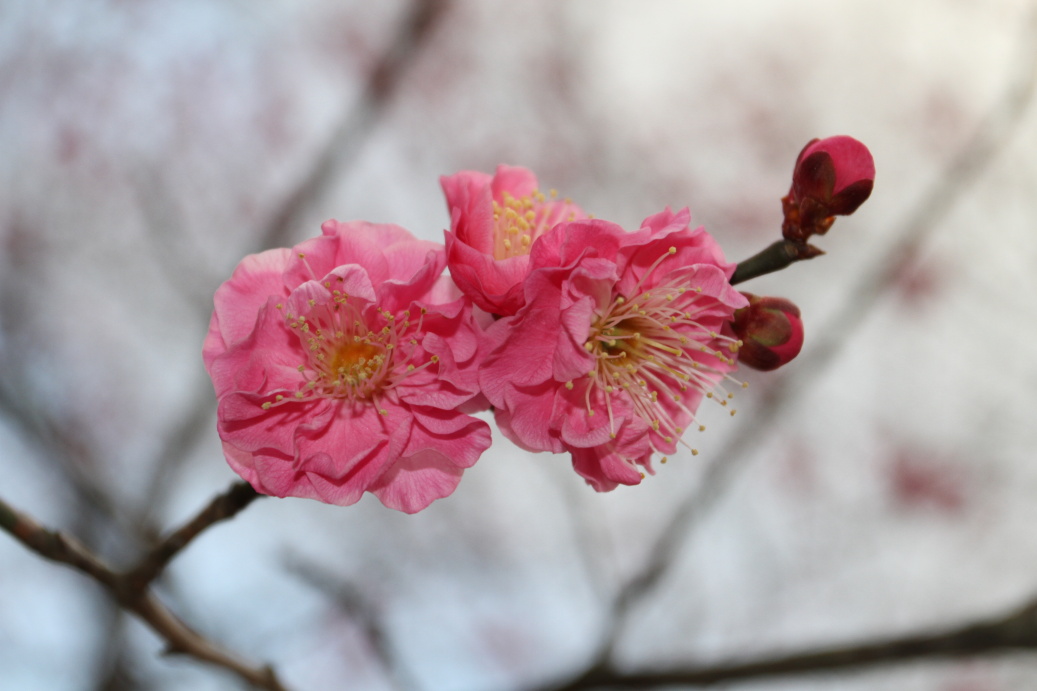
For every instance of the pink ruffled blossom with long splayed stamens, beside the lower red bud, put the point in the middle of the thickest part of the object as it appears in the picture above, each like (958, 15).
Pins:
(622, 337)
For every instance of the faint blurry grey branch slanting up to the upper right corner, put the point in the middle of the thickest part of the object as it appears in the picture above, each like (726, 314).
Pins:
(993, 135)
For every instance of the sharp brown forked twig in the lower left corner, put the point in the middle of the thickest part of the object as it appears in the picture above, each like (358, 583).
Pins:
(131, 590)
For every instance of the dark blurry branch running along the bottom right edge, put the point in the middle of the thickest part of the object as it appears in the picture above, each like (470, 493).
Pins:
(1018, 631)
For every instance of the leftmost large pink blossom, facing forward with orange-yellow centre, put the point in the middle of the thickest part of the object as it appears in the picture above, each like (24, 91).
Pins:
(345, 366)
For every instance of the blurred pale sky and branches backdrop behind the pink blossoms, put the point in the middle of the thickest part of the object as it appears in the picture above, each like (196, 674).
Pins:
(884, 483)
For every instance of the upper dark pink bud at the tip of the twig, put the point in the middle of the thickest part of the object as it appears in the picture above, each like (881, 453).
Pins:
(832, 178)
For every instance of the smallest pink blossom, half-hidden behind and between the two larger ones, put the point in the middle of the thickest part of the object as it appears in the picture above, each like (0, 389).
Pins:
(495, 222)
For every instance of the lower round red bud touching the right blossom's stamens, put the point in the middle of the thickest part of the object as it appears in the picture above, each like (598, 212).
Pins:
(771, 333)
